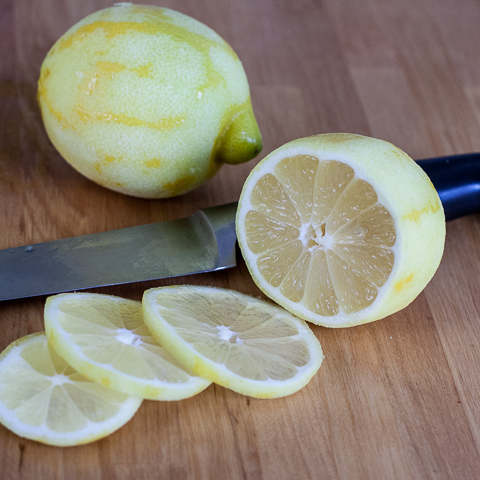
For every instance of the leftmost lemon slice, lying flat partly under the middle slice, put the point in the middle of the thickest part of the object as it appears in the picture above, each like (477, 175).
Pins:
(42, 398)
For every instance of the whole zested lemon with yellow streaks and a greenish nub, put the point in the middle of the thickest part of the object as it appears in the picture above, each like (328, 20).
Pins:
(146, 101)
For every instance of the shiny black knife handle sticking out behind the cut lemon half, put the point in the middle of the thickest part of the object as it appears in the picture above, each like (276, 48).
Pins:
(457, 180)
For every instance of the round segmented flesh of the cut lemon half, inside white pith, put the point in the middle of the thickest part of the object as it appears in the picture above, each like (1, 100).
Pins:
(320, 235)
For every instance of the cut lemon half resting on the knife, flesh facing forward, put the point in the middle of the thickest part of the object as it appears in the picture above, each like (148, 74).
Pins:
(340, 229)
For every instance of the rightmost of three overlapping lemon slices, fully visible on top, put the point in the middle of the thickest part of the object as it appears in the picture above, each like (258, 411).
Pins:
(237, 341)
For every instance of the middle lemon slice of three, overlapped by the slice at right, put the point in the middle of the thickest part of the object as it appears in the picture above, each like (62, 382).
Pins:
(105, 339)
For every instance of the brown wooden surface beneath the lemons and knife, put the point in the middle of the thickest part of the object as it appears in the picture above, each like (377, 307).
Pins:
(395, 399)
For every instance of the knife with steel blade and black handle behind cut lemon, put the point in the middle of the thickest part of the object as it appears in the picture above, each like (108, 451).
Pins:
(202, 242)
